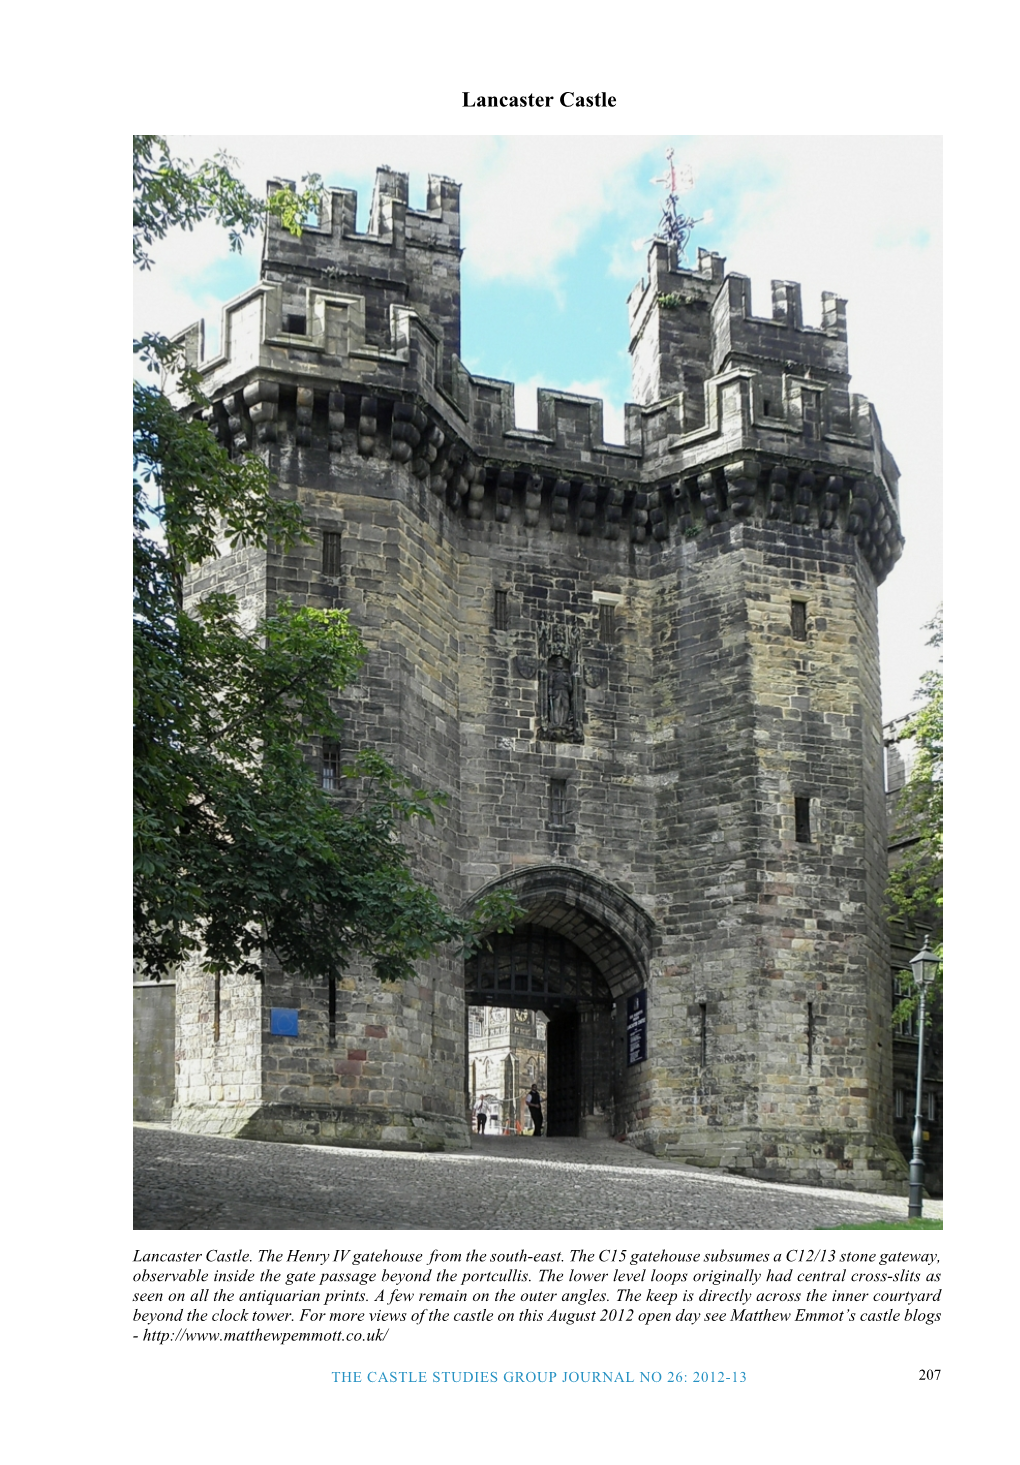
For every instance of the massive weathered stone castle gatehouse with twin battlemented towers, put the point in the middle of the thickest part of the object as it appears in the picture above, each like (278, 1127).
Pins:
(647, 676)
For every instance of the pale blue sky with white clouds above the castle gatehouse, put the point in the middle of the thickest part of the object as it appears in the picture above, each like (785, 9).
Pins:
(555, 232)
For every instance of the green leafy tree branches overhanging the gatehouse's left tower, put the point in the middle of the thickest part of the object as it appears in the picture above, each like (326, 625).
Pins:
(238, 850)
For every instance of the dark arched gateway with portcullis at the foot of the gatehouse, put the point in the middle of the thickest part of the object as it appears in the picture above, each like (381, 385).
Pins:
(581, 952)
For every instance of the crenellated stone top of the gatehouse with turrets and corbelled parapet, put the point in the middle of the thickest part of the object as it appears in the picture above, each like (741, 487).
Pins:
(348, 345)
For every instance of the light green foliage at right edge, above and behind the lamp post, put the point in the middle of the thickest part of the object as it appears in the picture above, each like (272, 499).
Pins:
(915, 890)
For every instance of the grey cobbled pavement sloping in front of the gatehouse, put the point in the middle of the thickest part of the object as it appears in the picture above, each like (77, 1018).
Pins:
(185, 1182)
